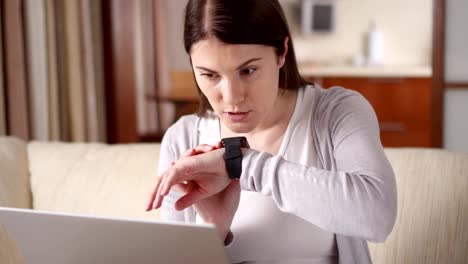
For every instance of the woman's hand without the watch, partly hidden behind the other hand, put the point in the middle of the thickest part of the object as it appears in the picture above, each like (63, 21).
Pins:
(218, 209)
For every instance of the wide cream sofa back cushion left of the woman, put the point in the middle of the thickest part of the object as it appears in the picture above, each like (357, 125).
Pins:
(93, 179)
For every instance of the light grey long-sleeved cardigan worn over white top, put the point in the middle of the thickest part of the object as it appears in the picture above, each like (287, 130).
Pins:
(352, 189)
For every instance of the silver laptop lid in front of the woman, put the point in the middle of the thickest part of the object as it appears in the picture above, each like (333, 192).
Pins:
(58, 238)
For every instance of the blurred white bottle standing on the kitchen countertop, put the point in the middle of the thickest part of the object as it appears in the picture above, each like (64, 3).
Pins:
(375, 47)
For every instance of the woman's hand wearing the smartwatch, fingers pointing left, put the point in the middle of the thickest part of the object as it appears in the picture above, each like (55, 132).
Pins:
(205, 172)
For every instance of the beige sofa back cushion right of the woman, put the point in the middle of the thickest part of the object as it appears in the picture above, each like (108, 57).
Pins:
(432, 222)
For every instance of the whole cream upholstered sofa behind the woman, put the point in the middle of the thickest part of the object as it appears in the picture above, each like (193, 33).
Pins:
(115, 180)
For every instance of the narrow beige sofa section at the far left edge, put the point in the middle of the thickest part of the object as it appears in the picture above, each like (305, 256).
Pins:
(14, 177)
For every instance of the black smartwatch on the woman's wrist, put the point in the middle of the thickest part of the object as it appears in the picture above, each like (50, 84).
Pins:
(233, 155)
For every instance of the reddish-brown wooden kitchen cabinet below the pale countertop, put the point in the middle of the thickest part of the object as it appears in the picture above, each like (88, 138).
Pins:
(403, 106)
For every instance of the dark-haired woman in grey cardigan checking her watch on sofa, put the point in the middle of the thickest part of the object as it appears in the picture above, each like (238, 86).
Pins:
(315, 183)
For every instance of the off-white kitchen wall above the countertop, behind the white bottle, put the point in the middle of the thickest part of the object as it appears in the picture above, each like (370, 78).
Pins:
(406, 25)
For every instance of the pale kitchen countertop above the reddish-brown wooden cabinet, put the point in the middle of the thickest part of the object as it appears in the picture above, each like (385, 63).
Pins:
(350, 71)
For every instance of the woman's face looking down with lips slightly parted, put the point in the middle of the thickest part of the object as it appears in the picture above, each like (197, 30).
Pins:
(239, 81)
